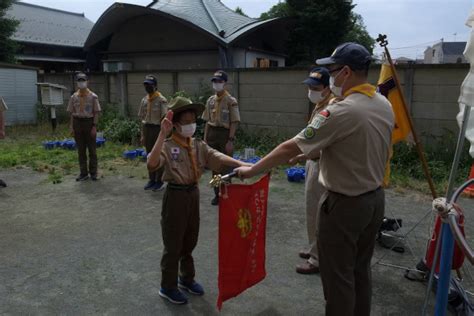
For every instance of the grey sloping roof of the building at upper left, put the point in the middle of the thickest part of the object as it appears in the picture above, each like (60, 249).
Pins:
(48, 26)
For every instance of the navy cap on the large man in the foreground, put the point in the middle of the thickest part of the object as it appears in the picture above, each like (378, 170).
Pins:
(353, 55)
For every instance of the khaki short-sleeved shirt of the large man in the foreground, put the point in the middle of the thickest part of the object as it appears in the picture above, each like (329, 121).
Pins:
(354, 137)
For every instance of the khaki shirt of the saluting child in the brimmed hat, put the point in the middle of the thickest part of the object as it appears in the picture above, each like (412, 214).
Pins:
(178, 166)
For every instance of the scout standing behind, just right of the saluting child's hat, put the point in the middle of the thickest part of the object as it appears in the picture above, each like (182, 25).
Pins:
(222, 116)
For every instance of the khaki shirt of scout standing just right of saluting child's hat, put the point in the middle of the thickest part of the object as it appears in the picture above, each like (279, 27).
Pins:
(221, 114)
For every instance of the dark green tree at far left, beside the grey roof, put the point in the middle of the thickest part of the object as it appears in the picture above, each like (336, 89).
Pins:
(8, 47)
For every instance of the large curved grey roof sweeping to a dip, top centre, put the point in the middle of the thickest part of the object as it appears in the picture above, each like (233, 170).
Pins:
(211, 17)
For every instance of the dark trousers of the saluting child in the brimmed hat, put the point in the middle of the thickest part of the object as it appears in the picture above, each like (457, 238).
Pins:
(180, 230)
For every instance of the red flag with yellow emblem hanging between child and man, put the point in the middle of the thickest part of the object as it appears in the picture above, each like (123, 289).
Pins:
(242, 228)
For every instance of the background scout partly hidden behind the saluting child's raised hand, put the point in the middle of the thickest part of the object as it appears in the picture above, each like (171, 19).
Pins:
(152, 109)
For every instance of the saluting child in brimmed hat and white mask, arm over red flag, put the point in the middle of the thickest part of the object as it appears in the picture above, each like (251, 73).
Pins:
(184, 159)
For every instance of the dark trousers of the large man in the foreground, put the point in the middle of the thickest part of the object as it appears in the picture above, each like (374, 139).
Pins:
(347, 231)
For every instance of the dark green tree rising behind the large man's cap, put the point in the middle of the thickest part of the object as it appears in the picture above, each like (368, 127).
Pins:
(318, 27)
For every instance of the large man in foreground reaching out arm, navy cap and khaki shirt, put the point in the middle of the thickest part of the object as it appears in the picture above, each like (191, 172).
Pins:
(352, 138)
